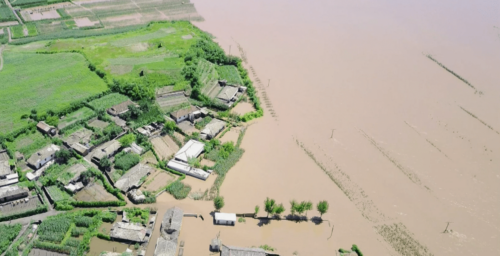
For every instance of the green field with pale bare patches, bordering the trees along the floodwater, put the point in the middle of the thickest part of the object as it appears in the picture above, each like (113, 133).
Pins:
(157, 48)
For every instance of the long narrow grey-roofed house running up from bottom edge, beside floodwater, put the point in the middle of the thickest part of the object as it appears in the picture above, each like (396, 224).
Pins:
(166, 244)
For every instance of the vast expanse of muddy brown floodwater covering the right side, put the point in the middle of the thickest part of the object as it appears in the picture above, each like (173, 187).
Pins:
(405, 143)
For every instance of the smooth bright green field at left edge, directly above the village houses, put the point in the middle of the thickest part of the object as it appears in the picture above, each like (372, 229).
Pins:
(43, 82)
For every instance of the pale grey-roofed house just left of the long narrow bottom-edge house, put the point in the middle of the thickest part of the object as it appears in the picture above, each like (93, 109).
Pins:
(129, 233)
